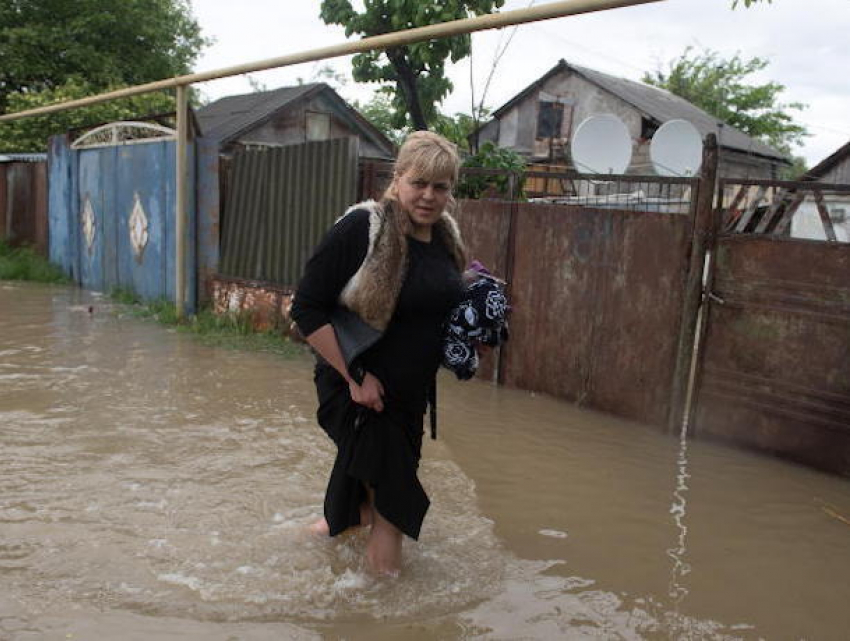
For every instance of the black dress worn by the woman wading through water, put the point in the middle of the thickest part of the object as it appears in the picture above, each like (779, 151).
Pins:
(383, 450)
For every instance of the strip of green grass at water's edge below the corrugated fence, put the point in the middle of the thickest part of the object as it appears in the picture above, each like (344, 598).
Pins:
(232, 331)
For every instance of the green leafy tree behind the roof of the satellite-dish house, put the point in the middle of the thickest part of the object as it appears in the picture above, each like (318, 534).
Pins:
(723, 88)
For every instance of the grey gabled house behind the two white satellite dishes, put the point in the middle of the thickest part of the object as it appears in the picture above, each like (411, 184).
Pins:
(540, 120)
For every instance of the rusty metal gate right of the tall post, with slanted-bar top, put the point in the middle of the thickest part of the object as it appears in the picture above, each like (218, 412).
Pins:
(774, 350)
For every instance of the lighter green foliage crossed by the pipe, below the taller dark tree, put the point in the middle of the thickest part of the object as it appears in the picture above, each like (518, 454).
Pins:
(31, 134)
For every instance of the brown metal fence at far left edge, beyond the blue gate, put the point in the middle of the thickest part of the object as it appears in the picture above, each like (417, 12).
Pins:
(23, 204)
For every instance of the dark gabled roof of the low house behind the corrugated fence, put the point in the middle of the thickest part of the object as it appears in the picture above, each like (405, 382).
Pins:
(228, 118)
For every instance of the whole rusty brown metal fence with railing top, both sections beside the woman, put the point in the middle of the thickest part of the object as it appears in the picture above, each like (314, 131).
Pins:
(606, 278)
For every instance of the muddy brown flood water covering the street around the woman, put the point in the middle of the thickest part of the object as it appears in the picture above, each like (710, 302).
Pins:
(152, 487)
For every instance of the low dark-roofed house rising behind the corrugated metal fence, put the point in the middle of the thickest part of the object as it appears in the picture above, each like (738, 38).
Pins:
(290, 115)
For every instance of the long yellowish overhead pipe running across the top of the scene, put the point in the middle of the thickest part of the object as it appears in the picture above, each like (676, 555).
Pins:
(384, 41)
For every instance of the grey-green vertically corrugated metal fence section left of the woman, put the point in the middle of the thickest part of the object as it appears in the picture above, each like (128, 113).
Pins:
(280, 202)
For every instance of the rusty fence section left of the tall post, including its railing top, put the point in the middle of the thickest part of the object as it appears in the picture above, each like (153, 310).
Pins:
(598, 268)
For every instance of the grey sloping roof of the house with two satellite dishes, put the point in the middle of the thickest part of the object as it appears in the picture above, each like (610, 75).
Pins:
(658, 104)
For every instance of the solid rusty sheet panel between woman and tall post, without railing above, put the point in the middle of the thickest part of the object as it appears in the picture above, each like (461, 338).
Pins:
(597, 298)
